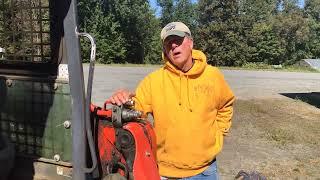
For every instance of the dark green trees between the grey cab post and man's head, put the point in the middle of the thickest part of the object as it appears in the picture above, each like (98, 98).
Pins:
(125, 30)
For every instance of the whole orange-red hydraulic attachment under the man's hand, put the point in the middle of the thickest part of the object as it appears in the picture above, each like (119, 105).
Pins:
(126, 143)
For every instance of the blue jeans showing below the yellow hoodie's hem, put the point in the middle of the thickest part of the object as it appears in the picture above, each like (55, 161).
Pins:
(211, 173)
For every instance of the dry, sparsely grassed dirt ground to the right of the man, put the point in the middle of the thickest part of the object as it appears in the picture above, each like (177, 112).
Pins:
(277, 137)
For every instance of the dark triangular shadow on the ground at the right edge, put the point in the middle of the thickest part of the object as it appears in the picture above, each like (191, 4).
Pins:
(312, 98)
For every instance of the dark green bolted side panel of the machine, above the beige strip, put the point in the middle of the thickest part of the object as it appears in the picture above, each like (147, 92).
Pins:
(33, 115)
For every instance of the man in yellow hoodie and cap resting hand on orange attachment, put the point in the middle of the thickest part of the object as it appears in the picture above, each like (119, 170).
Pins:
(191, 104)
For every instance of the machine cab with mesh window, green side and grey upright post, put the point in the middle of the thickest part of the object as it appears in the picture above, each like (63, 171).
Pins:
(42, 97)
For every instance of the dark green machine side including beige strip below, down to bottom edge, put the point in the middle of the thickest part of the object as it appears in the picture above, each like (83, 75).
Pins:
(35, 115)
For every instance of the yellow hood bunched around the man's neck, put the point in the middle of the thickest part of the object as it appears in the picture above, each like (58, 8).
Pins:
(200, 62)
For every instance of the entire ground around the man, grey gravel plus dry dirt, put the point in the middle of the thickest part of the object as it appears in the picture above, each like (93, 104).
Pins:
(271, 133)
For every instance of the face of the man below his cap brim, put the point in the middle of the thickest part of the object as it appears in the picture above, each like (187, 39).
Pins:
(179, 50)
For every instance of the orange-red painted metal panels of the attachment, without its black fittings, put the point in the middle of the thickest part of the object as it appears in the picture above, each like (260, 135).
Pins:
(145, 164)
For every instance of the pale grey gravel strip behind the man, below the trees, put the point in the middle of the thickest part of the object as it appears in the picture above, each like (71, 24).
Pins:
(245, 84)
